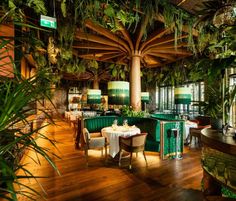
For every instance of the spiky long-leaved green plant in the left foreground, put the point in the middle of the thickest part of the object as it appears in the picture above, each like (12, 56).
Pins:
(15, 97)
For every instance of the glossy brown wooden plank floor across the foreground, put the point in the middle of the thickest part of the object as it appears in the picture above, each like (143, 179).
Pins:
(167, 180)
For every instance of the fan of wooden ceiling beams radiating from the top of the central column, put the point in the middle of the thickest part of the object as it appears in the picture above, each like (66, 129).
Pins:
(158, 49)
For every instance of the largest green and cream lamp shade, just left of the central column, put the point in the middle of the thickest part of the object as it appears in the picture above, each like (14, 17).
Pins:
(118, 93)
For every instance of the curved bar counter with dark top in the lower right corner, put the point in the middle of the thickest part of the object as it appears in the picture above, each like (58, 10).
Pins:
(218, 163)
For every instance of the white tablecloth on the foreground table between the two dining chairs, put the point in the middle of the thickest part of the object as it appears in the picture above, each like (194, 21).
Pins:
(113, 136)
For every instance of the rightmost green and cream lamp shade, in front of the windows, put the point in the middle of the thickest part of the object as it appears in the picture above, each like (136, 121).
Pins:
(182, 95)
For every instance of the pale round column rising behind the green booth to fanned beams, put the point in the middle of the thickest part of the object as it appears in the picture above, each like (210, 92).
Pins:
(135, 83)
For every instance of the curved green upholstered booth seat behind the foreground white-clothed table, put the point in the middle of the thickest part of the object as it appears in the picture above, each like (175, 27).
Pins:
(157, 138)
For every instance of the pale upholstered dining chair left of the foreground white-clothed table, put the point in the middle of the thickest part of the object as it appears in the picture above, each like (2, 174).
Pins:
(98, 142)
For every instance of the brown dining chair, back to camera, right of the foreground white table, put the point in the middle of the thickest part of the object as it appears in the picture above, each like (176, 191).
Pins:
(132, 144)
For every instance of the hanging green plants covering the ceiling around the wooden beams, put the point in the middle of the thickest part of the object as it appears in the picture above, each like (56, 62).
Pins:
(78, 16)
